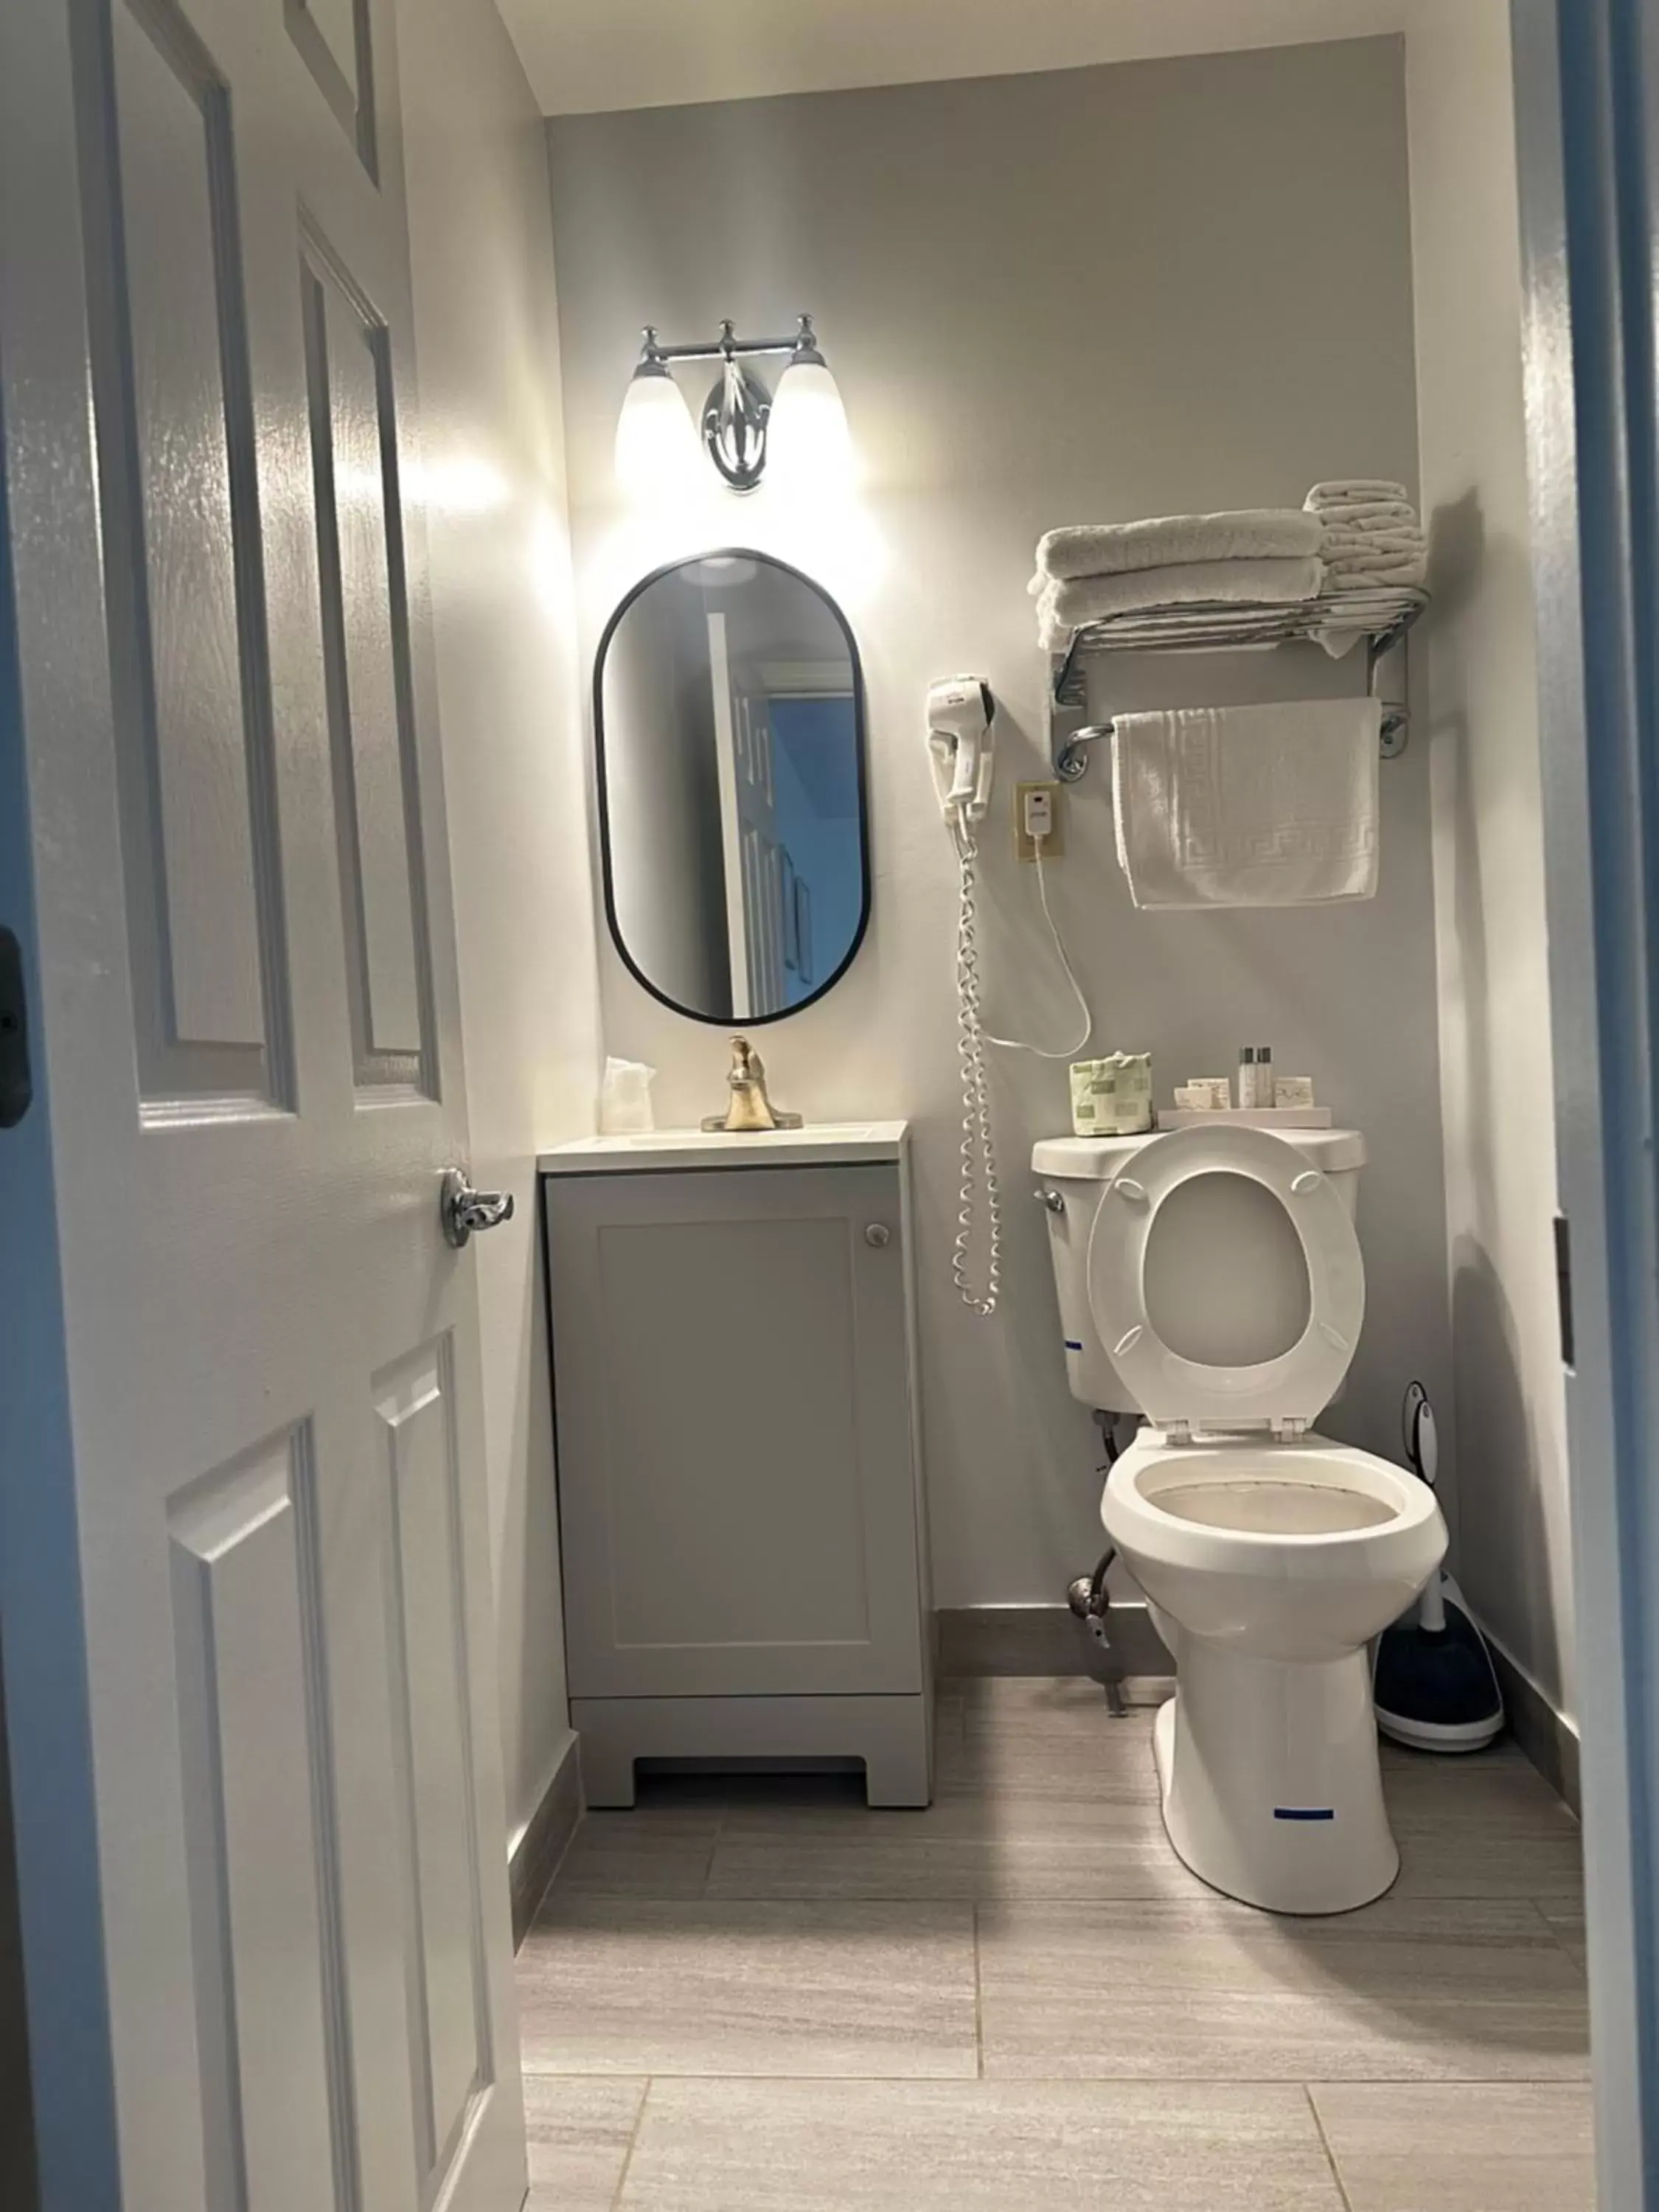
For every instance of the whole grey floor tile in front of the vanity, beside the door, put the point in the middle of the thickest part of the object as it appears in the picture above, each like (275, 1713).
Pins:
(656, 1985)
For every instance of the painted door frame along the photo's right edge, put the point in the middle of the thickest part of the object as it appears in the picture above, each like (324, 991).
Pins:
(1587, 109)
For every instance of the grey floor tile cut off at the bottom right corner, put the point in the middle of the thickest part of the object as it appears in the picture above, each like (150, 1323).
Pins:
(1461, 2149)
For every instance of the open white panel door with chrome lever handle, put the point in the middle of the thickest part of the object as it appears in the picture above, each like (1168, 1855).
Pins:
(244, 1580)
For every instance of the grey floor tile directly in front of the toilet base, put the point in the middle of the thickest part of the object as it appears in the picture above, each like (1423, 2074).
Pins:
(1220, 1992)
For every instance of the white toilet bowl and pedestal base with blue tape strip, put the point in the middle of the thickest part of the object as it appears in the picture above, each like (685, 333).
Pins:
(1269, 1569)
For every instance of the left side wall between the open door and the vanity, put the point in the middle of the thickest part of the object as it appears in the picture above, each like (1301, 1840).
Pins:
(508, 689)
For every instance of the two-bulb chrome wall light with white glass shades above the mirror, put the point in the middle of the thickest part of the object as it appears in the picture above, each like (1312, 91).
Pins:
(804, 428)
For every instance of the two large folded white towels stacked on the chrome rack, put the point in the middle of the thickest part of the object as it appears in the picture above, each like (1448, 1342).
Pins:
(1264, 556)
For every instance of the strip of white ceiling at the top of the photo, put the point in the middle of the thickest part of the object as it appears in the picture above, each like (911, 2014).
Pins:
(643, 54)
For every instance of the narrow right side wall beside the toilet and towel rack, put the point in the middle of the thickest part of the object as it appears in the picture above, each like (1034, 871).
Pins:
(1477, 705)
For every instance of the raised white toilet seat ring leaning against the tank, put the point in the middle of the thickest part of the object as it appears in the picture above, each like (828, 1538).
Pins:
(1173, 1390)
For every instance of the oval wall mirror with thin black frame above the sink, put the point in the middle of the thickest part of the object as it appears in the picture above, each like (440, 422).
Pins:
(731, 738)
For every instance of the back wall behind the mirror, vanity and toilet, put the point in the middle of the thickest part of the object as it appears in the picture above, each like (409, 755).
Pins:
(1052, 298)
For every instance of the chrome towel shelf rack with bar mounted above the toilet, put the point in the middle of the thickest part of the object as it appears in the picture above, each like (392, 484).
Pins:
(1384, 618)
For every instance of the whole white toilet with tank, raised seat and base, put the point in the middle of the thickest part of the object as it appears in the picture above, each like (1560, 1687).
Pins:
(1211, 1280)
